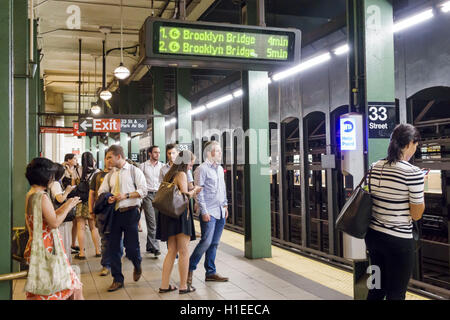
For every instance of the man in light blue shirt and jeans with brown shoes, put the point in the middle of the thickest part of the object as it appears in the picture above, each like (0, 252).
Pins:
(212, 201)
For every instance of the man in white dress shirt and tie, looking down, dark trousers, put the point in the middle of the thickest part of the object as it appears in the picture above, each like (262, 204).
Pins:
(128, 186)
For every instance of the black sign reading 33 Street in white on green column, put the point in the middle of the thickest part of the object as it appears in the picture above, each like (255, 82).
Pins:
(381, 119)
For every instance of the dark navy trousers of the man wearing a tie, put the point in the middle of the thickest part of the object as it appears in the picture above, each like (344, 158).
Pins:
(126, 223)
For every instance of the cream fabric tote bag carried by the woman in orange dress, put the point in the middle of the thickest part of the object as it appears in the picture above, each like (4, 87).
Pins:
(48, 272)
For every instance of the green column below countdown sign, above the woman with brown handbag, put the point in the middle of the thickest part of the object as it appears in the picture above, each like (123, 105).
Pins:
(183, 106)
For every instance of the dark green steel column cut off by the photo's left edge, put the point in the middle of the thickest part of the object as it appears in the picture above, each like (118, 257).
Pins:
(6, 132)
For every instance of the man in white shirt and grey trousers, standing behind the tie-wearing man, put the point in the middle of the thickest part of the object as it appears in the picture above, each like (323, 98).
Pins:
(151, 169)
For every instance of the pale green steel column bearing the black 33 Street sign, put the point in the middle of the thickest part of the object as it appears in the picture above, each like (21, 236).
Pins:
(380, 70)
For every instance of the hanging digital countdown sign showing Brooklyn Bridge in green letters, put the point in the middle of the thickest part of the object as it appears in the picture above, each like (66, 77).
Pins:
(214, 45)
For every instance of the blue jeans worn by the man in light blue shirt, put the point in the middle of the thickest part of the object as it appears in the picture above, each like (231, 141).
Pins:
(211, 233)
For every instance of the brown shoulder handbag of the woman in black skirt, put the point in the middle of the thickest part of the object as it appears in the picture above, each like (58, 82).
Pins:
(169, 200)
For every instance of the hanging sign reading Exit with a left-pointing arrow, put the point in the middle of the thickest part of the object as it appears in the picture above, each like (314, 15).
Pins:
(112, 125)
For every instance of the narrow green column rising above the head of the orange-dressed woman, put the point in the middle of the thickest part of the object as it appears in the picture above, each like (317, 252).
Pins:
(34, 101)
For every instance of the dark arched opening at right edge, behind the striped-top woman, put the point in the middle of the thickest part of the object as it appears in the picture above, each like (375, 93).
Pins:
(429, 111)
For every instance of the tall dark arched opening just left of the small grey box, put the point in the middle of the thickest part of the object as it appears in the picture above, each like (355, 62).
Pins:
(316, 191)
